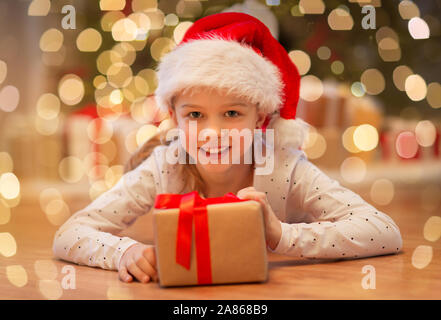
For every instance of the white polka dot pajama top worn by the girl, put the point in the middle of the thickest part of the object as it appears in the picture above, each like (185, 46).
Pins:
(319, 217)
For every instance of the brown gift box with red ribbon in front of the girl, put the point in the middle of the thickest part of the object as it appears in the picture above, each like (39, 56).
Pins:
(202, 241)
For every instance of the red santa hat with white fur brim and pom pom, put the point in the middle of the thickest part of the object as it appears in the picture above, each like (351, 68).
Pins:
(237, 52)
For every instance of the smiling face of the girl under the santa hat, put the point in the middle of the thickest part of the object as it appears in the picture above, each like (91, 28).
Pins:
(211, 111)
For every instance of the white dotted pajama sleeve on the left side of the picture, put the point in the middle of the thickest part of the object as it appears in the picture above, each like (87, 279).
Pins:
(88, 236)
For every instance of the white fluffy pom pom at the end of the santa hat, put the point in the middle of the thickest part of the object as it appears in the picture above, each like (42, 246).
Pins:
(288, 132)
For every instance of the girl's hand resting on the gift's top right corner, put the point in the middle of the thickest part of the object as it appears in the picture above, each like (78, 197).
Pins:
(273, 229)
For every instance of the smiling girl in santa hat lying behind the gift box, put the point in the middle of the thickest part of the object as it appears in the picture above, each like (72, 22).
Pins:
(228, 72)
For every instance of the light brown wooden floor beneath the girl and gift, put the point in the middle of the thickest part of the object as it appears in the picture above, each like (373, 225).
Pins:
(395, 275)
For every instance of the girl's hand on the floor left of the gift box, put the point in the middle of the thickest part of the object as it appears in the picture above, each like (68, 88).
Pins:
(138, 261)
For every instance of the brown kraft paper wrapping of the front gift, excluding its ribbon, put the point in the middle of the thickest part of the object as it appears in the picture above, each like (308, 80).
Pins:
(237, 246)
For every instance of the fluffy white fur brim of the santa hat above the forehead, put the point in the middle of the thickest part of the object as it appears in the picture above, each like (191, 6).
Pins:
(219, 63)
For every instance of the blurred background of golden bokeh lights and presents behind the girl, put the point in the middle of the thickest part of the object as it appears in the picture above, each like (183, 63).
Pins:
(77, 81)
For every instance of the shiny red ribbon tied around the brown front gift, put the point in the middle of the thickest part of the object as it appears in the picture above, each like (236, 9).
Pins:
(193, 207)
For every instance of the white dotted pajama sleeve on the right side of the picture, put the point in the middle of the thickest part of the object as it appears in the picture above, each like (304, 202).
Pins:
(333, 221)
